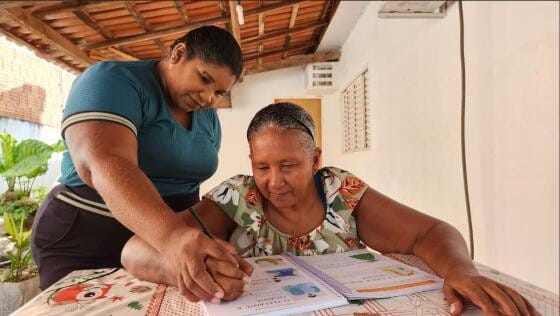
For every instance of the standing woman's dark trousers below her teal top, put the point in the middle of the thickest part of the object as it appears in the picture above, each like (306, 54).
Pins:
(67, 238)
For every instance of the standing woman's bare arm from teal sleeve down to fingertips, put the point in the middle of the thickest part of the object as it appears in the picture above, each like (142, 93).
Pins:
(105, 157)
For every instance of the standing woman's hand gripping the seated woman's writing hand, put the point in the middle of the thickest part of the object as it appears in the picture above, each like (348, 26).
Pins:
(187, 249)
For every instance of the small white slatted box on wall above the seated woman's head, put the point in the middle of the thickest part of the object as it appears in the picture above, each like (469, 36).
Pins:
(320, 78)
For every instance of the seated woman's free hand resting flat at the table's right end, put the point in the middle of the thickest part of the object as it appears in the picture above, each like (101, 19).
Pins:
(492, 297)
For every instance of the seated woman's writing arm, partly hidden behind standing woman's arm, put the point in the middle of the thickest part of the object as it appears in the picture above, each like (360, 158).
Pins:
(145, 262)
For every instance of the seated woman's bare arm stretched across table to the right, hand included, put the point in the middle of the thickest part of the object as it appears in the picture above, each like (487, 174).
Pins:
(390, 227)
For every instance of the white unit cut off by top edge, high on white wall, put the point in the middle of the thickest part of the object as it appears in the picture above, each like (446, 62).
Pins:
(413, 9)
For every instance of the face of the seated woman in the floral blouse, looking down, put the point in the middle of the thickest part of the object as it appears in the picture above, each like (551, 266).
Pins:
(283, 170)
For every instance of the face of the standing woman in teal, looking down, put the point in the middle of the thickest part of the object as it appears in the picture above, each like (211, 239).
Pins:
(193, 84)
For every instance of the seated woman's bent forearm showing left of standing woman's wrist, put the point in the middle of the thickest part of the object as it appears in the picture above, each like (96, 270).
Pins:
(146, 263)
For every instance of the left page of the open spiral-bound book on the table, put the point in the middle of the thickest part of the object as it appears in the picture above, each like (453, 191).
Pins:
(279, 287)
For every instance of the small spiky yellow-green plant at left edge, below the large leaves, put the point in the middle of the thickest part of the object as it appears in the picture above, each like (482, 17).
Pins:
(21, 266)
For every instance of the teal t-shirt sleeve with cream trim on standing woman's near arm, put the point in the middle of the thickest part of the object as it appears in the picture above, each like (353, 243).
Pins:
(104, 93)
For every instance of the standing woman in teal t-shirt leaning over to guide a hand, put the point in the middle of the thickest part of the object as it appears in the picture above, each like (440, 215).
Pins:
(141, 137)
